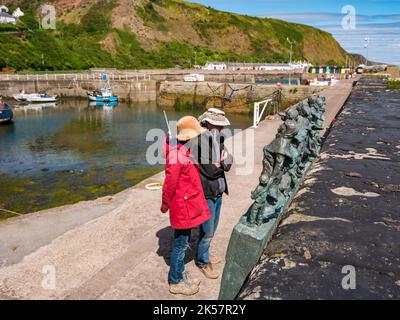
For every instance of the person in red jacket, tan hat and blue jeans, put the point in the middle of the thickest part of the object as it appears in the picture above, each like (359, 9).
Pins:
(184, 198)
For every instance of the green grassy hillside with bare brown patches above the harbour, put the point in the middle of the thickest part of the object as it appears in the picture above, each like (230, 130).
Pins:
(155, 34)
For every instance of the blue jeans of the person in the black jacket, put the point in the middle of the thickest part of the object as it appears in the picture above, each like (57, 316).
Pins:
(207, 232)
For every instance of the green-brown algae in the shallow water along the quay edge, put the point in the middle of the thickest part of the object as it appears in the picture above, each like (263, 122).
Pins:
(29, 194)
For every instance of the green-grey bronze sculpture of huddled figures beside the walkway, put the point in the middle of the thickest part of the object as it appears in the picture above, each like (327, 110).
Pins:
(287, 159)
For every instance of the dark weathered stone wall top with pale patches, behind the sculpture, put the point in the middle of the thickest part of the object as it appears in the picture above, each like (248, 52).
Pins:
(347, 213)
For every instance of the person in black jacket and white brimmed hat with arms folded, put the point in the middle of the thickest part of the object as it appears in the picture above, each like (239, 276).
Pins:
(214, 161)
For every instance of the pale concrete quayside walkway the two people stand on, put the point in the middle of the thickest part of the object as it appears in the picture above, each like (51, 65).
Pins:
(118, 247)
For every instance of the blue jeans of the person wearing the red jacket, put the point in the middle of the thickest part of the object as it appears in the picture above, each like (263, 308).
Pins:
(177, 264)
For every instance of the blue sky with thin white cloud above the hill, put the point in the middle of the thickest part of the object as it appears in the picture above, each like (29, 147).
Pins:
(351, 22)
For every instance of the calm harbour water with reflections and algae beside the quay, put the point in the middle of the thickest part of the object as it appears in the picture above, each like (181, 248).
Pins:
(71, 152)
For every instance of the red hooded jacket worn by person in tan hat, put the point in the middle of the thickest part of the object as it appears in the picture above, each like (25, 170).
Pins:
(182, 190)
